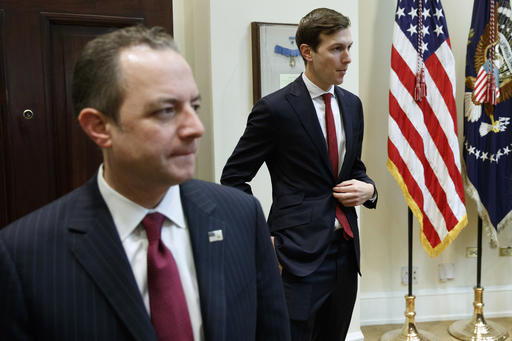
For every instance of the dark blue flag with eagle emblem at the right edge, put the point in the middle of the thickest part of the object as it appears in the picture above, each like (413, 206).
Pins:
(487, 109)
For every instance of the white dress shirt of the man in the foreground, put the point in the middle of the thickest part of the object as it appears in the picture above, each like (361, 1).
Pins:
(128, 216)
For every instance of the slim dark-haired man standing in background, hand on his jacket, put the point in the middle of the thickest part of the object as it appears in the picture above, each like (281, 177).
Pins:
(310, 134)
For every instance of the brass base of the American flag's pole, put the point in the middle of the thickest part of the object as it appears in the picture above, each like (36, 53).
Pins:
(409, 332)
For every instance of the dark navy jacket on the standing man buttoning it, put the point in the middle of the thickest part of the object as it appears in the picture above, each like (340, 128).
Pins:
(283, 131)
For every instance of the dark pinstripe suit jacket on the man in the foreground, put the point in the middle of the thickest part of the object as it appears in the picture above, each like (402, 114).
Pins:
(64, 274)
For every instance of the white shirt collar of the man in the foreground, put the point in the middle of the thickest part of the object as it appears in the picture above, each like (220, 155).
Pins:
(127, 214)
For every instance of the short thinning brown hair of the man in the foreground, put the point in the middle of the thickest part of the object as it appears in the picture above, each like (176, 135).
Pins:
(97, 78)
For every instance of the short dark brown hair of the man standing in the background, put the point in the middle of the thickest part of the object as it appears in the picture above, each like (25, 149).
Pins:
(316, 22)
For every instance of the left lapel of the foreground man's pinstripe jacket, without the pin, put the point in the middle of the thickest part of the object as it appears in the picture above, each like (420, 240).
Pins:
(94, 241)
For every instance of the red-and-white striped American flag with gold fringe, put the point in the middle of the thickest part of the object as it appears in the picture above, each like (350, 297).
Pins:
(423, 149)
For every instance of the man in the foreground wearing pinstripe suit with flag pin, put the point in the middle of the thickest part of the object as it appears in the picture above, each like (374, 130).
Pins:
(76, 269)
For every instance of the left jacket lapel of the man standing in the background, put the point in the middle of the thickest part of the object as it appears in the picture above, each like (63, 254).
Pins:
(301, 102)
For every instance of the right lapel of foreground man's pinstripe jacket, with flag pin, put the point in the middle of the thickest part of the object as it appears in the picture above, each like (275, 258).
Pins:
(208, 257)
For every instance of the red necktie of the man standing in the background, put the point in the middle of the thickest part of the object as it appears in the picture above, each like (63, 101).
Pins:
(332, 144)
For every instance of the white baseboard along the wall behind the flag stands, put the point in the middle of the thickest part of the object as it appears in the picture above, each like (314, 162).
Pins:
(433, 305)
